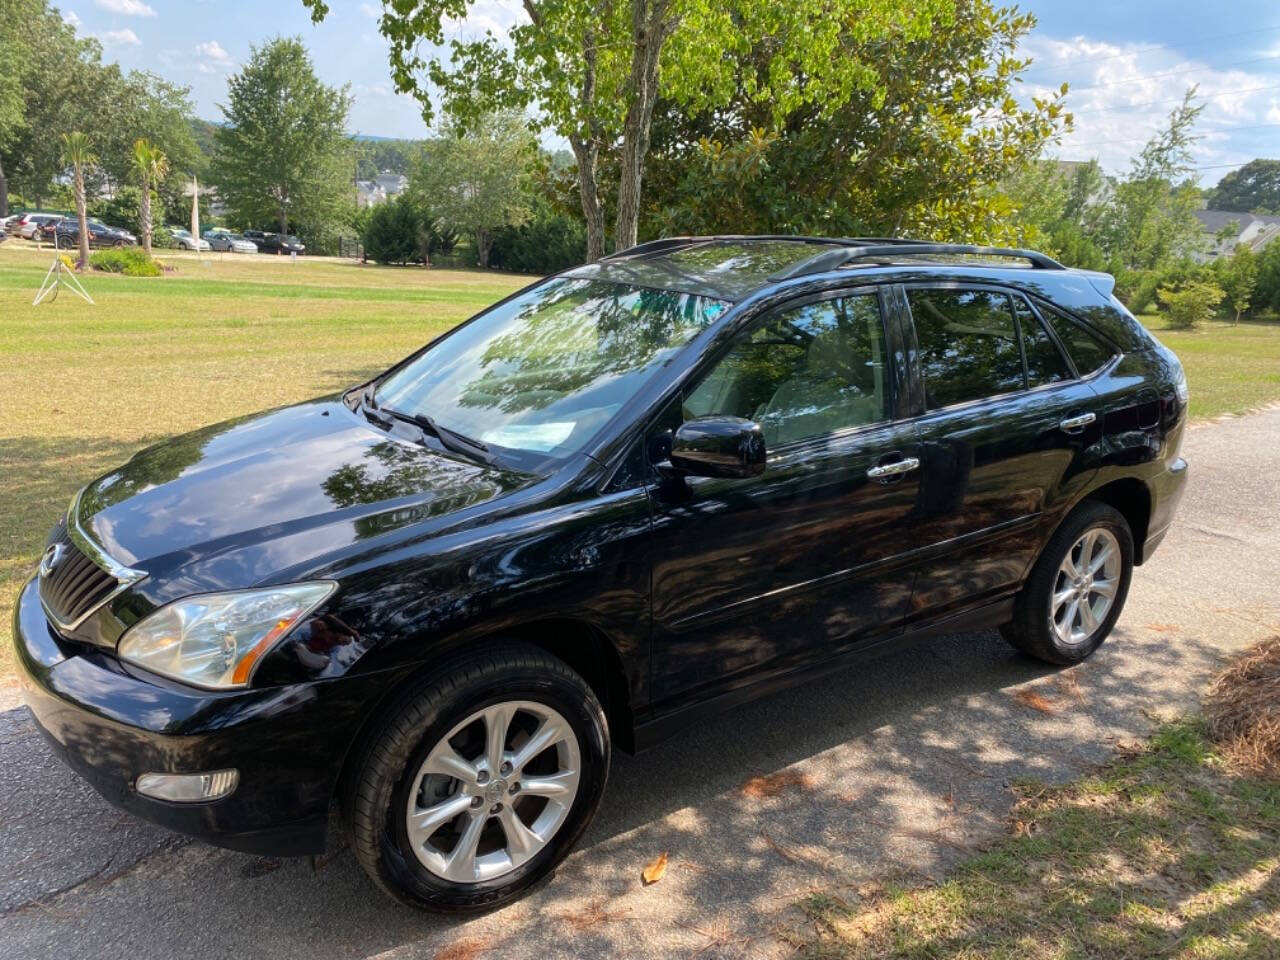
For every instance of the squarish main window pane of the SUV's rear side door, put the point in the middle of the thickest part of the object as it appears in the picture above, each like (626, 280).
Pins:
(968, 345)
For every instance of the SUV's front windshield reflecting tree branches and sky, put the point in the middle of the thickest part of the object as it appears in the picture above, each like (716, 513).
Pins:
(543, 372)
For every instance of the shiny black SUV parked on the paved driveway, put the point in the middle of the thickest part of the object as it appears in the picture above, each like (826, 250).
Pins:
(639, 491)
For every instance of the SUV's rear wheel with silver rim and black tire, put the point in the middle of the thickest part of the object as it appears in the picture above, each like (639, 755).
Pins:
(1077, 588)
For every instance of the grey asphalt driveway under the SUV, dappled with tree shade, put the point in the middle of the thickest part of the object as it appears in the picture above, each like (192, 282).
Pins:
(895, 767)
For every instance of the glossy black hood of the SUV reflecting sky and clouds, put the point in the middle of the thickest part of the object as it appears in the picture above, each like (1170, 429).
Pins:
(250, 499)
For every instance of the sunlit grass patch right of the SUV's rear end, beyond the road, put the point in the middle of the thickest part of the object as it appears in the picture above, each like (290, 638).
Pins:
(1229, 369)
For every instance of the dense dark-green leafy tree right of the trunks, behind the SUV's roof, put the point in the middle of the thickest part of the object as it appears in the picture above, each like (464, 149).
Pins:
(916, 150)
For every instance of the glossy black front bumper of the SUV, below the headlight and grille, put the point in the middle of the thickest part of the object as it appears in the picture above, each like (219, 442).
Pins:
(289, 743)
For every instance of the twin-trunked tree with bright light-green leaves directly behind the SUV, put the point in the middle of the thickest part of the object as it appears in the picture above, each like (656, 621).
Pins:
(595, 71)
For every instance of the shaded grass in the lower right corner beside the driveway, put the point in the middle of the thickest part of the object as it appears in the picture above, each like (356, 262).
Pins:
(1165, 853)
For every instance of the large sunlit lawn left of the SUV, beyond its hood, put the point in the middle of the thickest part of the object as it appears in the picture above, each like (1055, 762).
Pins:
(84, 387)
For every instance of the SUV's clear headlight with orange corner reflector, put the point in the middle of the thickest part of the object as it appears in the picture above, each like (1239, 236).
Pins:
(214, 641)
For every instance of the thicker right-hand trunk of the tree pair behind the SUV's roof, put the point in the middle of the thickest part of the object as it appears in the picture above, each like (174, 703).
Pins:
(650, 34)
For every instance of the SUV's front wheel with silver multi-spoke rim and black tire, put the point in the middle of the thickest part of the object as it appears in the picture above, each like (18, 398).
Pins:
(479, 781)
